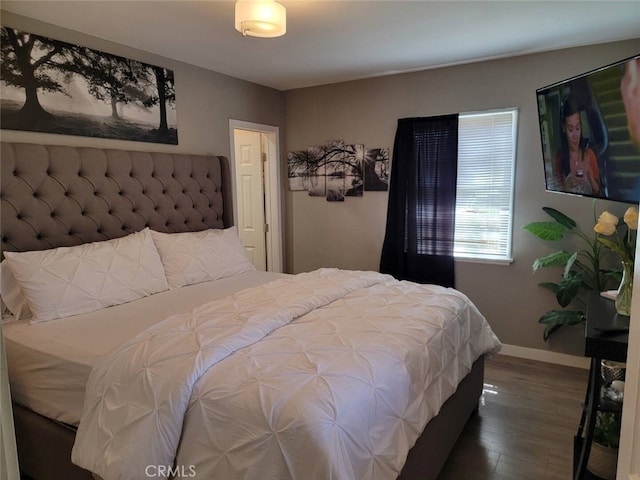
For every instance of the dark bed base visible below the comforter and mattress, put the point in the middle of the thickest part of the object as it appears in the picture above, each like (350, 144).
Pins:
(44, 446)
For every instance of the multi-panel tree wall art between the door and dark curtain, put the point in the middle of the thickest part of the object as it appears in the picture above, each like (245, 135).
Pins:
(337, 170)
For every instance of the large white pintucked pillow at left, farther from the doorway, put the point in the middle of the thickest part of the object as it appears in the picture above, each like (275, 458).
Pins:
(68, 281)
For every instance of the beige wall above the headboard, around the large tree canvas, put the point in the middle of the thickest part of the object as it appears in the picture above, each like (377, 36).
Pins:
(205, 100)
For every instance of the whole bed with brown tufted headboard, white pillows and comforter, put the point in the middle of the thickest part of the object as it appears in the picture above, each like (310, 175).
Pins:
(216, 370)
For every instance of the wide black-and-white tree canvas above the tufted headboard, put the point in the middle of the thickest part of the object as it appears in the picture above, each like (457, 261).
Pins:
(56, 87)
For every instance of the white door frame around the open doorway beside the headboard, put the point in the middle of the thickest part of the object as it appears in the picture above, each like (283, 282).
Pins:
(272, 188)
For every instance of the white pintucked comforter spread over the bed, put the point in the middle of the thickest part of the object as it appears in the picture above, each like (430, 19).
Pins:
(325, 375)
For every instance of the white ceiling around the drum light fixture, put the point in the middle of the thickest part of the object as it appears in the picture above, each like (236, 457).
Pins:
(334, 41)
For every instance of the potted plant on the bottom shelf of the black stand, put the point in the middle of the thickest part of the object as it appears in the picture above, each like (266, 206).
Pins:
(603, 460)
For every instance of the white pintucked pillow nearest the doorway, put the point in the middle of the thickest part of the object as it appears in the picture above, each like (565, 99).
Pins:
(195, 257)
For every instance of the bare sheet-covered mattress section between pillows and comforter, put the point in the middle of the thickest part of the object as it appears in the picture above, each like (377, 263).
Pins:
(49, 363)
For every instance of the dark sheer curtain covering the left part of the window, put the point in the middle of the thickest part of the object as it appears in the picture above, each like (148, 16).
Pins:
(419, 238)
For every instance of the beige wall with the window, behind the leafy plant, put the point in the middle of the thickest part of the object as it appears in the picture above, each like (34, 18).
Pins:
(350, 234)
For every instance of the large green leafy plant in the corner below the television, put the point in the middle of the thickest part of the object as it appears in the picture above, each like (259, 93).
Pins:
(581, 269)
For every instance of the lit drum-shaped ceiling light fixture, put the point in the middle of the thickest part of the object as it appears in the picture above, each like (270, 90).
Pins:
(261, 18)
